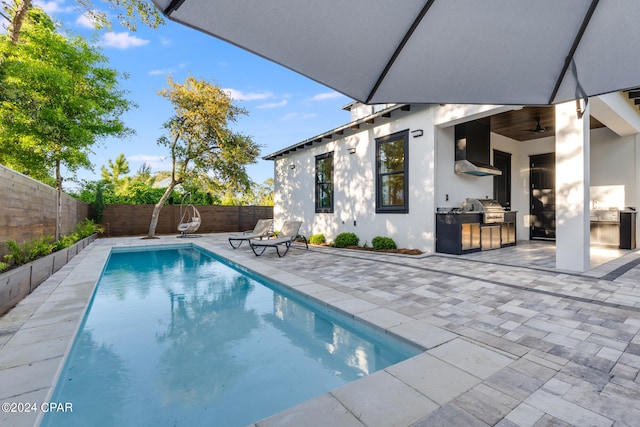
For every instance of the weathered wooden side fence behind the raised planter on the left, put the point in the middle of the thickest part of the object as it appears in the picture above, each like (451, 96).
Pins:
(28, 209)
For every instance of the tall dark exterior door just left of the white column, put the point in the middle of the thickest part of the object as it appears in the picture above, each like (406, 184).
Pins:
(542, 177)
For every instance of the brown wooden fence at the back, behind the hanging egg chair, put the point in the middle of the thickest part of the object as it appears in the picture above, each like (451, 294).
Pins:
(134, 220)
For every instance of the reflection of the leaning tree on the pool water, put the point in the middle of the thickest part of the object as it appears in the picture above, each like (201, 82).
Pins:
(208, 326)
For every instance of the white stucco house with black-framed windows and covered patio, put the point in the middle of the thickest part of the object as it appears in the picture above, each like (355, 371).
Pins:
(569, 173)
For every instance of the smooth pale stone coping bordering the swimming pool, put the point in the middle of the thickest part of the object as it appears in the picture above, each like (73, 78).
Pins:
(32, 358)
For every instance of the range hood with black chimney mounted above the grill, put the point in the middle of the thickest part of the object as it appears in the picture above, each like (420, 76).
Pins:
(473, 149)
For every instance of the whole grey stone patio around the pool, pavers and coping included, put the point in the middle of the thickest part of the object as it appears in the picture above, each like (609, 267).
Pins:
(510, 340)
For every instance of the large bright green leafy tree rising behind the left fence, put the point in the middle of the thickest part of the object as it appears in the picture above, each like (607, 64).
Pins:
(57, 100)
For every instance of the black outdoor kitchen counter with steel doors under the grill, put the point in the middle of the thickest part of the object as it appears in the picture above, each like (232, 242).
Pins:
(464, 232)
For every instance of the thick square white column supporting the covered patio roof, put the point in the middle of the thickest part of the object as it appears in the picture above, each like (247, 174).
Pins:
(572, 188)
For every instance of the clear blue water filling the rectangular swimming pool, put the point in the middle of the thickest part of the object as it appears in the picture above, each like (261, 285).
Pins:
(178, 337)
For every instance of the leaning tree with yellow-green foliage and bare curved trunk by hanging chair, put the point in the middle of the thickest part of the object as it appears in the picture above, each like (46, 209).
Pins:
(200, 140)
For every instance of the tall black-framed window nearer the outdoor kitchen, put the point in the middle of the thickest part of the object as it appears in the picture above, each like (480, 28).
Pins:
(392, 173)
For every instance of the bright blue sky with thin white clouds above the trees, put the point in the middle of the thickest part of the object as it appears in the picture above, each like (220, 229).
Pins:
(284, 107)
